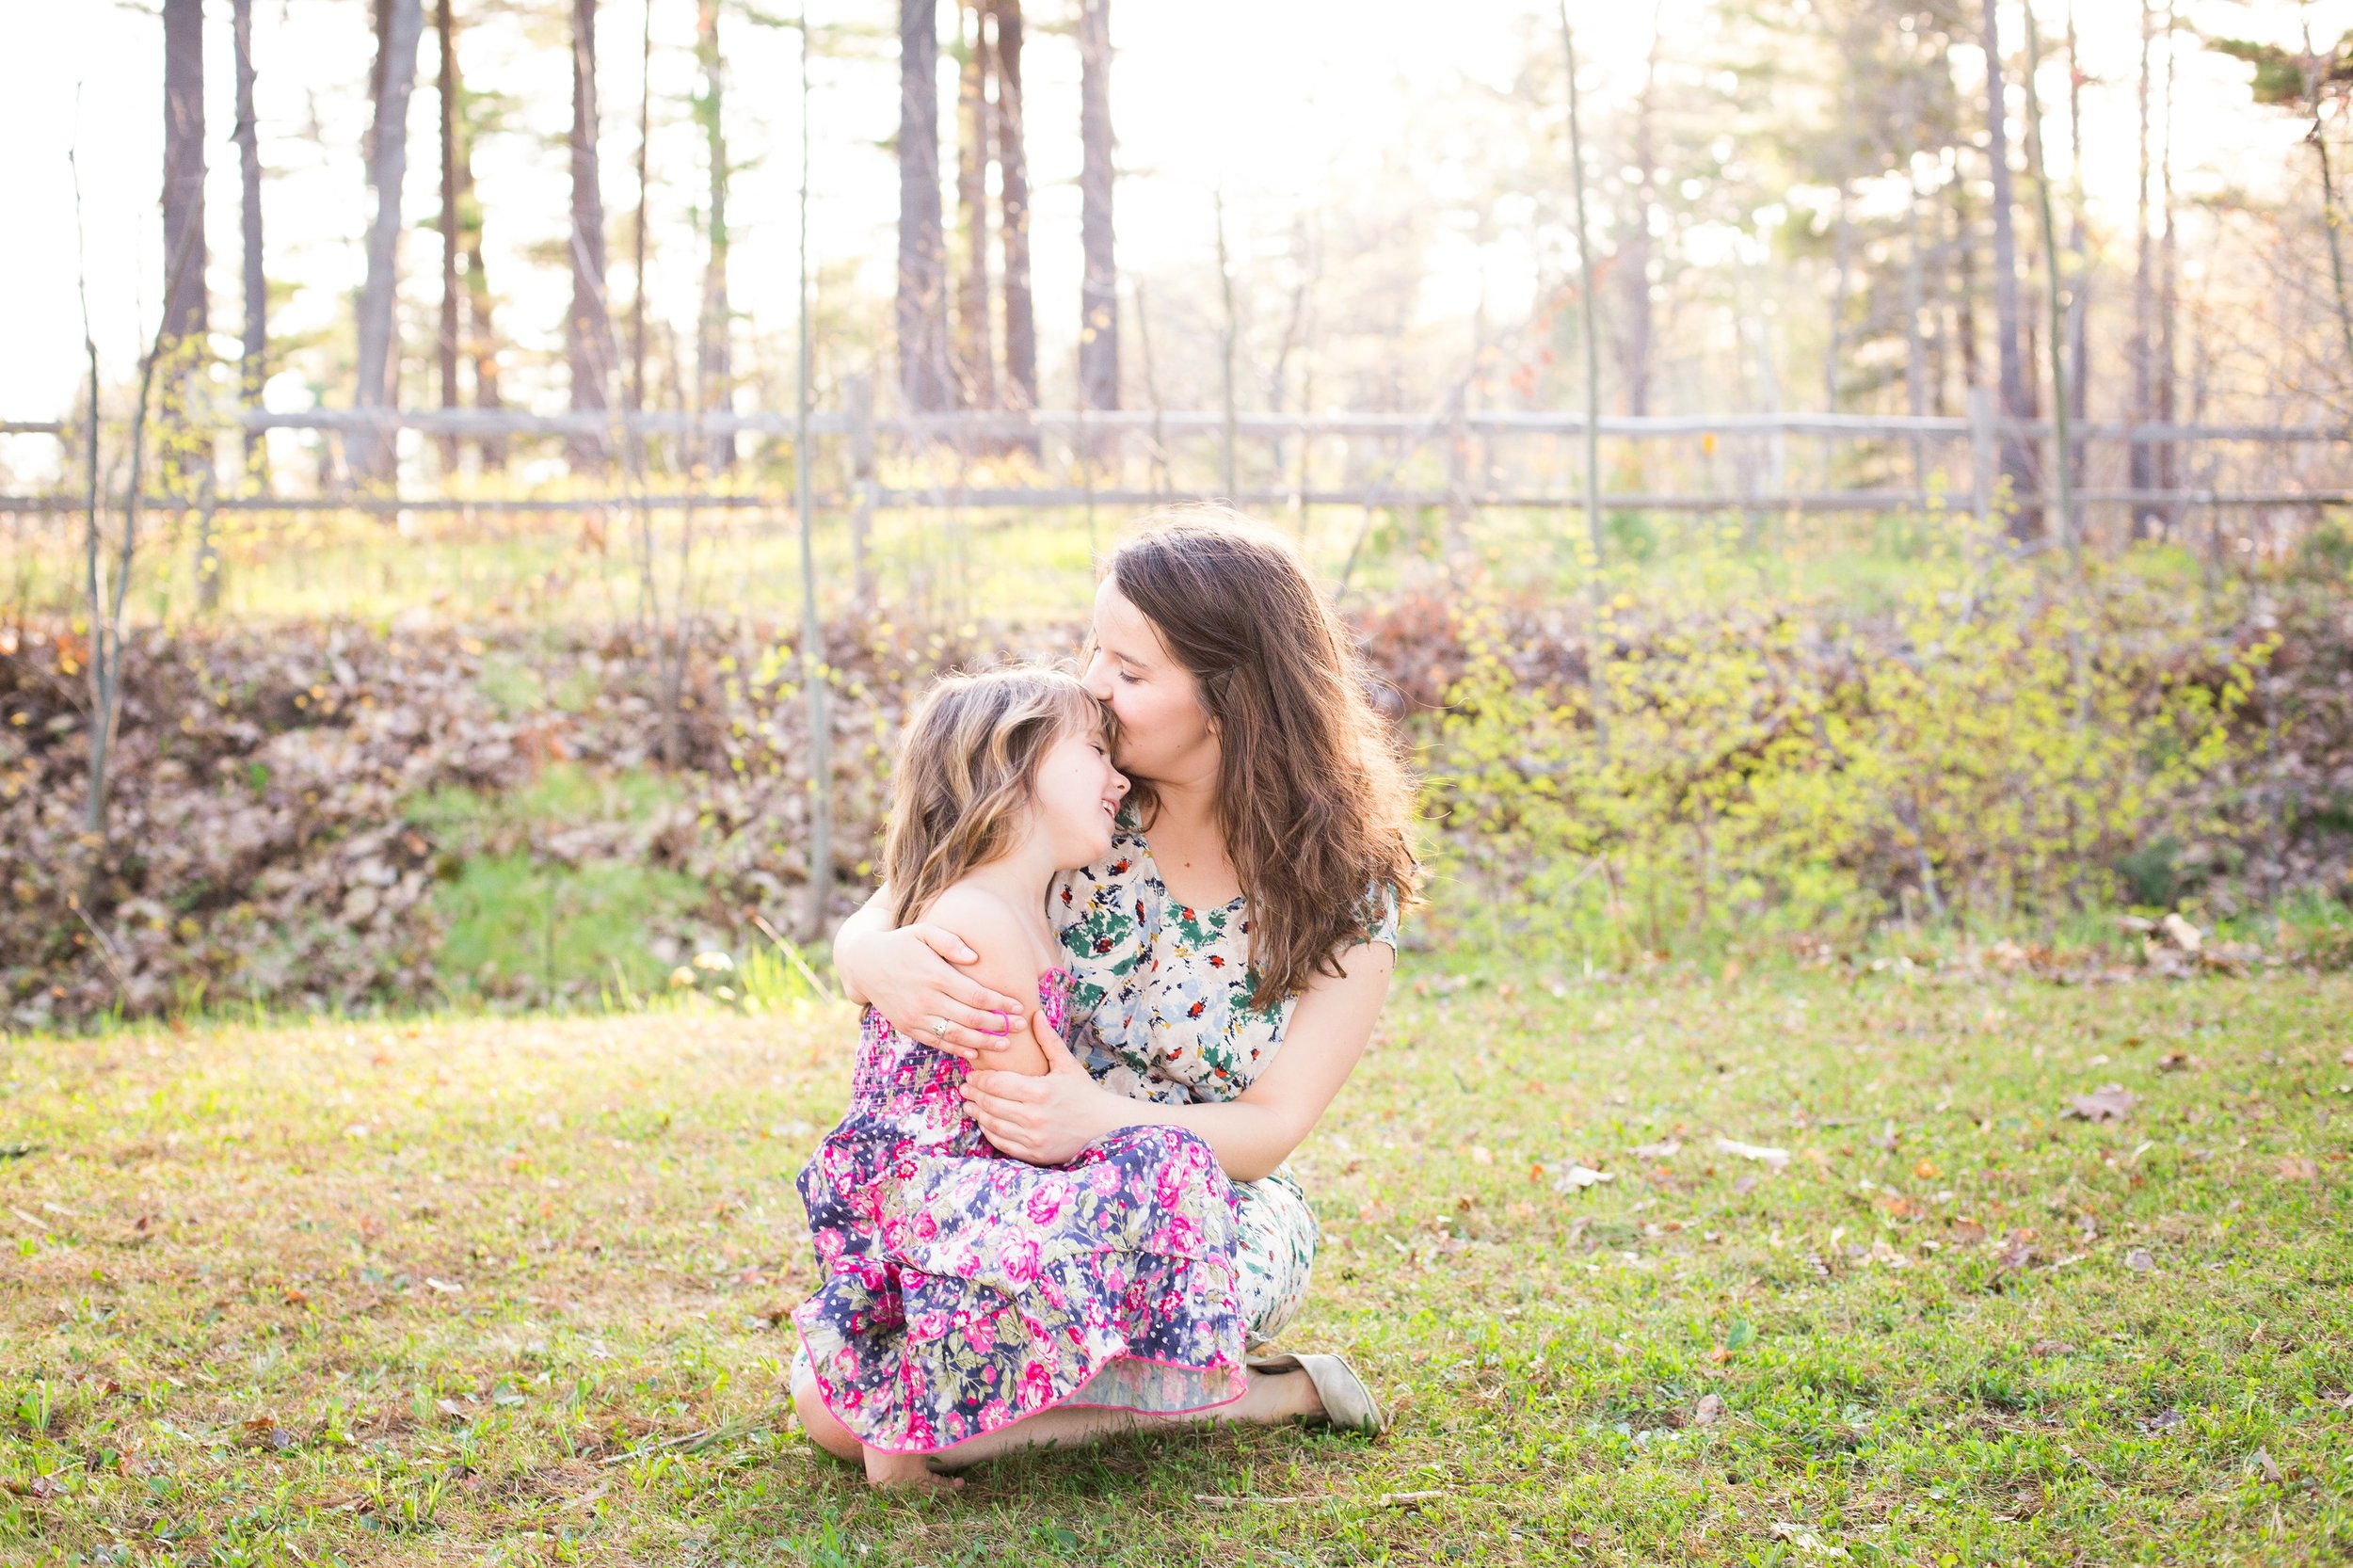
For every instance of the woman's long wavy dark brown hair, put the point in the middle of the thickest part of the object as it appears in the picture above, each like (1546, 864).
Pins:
(1312, 792)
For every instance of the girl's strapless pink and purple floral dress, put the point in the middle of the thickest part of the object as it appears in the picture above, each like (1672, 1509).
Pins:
(966, 1291)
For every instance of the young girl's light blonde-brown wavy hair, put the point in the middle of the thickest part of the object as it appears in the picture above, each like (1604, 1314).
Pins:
(968, 764)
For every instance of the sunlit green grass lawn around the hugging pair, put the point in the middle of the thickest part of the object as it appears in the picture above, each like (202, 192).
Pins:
(512, 1291)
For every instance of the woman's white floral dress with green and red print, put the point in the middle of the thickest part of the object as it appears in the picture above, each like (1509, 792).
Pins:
(1161, 995)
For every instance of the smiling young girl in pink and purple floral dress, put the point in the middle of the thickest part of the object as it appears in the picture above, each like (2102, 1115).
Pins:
(964, 1289)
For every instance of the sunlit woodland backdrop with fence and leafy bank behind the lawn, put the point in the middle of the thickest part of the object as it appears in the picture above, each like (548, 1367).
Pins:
(465, 620)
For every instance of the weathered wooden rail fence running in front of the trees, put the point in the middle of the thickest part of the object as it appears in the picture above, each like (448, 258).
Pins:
(1088, 432)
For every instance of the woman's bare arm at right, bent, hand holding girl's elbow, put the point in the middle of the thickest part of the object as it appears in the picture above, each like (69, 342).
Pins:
(1048, 1122)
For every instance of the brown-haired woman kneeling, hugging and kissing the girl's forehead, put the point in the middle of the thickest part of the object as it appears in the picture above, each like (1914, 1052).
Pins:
(1234, 950)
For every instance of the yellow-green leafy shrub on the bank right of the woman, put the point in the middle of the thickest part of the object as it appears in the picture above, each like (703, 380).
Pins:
(1994, 750)
